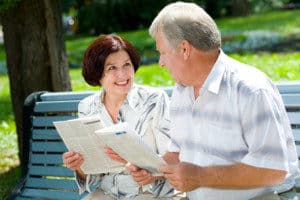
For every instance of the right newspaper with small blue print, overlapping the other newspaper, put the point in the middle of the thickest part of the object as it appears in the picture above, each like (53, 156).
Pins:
(128, 144)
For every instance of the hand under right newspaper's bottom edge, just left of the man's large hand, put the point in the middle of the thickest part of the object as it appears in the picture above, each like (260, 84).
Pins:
(141, 176)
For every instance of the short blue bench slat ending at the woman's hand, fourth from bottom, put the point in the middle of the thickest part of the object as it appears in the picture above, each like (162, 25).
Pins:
(46, 158)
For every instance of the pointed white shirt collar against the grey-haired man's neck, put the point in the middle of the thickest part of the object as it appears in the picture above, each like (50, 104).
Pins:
(213, 81)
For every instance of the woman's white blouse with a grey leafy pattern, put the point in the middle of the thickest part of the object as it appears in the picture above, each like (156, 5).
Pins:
(146, 111)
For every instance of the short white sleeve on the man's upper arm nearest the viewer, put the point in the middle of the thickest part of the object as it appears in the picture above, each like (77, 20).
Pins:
(263, 120)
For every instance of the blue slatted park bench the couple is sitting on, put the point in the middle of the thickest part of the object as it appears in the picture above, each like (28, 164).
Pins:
(45, 177)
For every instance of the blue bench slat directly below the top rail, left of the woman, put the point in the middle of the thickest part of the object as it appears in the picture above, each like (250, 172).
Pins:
(56, 106)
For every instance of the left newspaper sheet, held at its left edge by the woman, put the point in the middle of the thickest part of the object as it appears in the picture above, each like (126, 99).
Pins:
(79, 136)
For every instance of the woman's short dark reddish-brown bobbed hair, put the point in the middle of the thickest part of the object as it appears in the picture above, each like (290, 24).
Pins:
(97, 52)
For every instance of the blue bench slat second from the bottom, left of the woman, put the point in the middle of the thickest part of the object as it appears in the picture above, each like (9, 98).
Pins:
(52, 184)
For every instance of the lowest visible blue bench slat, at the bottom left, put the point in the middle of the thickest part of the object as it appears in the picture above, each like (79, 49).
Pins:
(49, 194)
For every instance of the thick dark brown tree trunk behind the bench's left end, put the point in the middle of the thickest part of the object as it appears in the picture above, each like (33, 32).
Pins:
(36, 55)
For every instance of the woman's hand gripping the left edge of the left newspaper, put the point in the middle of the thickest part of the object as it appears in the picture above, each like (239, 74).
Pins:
(72, 160)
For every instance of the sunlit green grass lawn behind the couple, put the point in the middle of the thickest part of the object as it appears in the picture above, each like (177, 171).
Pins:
(279, 66)
